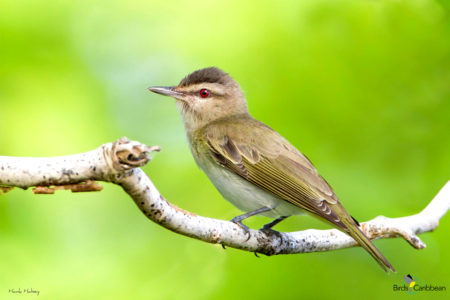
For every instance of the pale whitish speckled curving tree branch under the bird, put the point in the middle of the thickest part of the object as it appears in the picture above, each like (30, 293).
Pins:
(119, 163)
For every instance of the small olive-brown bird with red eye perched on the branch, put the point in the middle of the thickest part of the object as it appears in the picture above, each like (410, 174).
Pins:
(251, 165)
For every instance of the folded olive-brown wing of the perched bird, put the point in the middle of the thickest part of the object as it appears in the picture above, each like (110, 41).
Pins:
(272, 164)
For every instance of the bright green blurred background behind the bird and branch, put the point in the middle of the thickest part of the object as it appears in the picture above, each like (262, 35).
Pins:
(361, 87)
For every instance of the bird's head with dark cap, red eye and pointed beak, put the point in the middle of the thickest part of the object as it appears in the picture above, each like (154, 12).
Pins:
(205, 96)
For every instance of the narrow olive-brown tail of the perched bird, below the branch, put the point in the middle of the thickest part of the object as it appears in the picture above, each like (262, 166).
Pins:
(356, 233)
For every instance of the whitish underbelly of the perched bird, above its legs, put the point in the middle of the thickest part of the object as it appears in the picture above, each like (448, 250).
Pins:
(245, 195)
